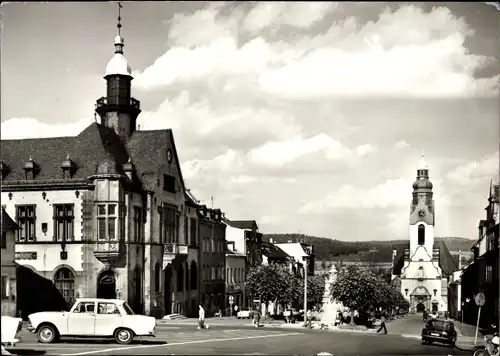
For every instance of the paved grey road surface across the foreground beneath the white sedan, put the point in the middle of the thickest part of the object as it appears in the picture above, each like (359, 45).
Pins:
(239, 340)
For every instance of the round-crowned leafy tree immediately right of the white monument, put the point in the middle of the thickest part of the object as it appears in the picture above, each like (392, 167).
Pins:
(355, 288)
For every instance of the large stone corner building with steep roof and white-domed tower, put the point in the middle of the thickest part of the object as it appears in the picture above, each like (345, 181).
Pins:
(103, 214)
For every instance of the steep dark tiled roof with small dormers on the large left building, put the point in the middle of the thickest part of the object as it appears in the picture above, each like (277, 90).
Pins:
(94, 146)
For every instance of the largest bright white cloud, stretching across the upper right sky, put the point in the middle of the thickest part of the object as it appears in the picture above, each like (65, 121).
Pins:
(415, 53)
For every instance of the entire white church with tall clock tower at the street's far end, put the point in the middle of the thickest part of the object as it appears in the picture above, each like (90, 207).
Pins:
(422, 267)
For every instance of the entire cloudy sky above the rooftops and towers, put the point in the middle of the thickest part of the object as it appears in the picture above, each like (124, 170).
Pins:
(306, 117)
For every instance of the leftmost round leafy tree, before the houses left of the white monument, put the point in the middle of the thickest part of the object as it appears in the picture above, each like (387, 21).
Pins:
(271, 283)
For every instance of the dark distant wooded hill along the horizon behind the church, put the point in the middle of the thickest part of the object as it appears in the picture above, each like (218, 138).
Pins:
(367, 251)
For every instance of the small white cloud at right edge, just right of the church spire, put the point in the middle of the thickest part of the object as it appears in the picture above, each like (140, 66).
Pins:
(475, 171)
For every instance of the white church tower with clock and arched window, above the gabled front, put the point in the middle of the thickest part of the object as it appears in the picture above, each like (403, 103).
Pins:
(422, 216)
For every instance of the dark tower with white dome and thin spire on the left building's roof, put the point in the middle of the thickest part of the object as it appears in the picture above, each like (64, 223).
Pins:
(118, 110)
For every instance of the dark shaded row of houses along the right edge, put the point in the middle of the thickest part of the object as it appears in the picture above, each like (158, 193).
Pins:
(482, 276)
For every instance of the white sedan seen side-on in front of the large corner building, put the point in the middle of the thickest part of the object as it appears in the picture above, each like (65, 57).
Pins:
(91, 317)
